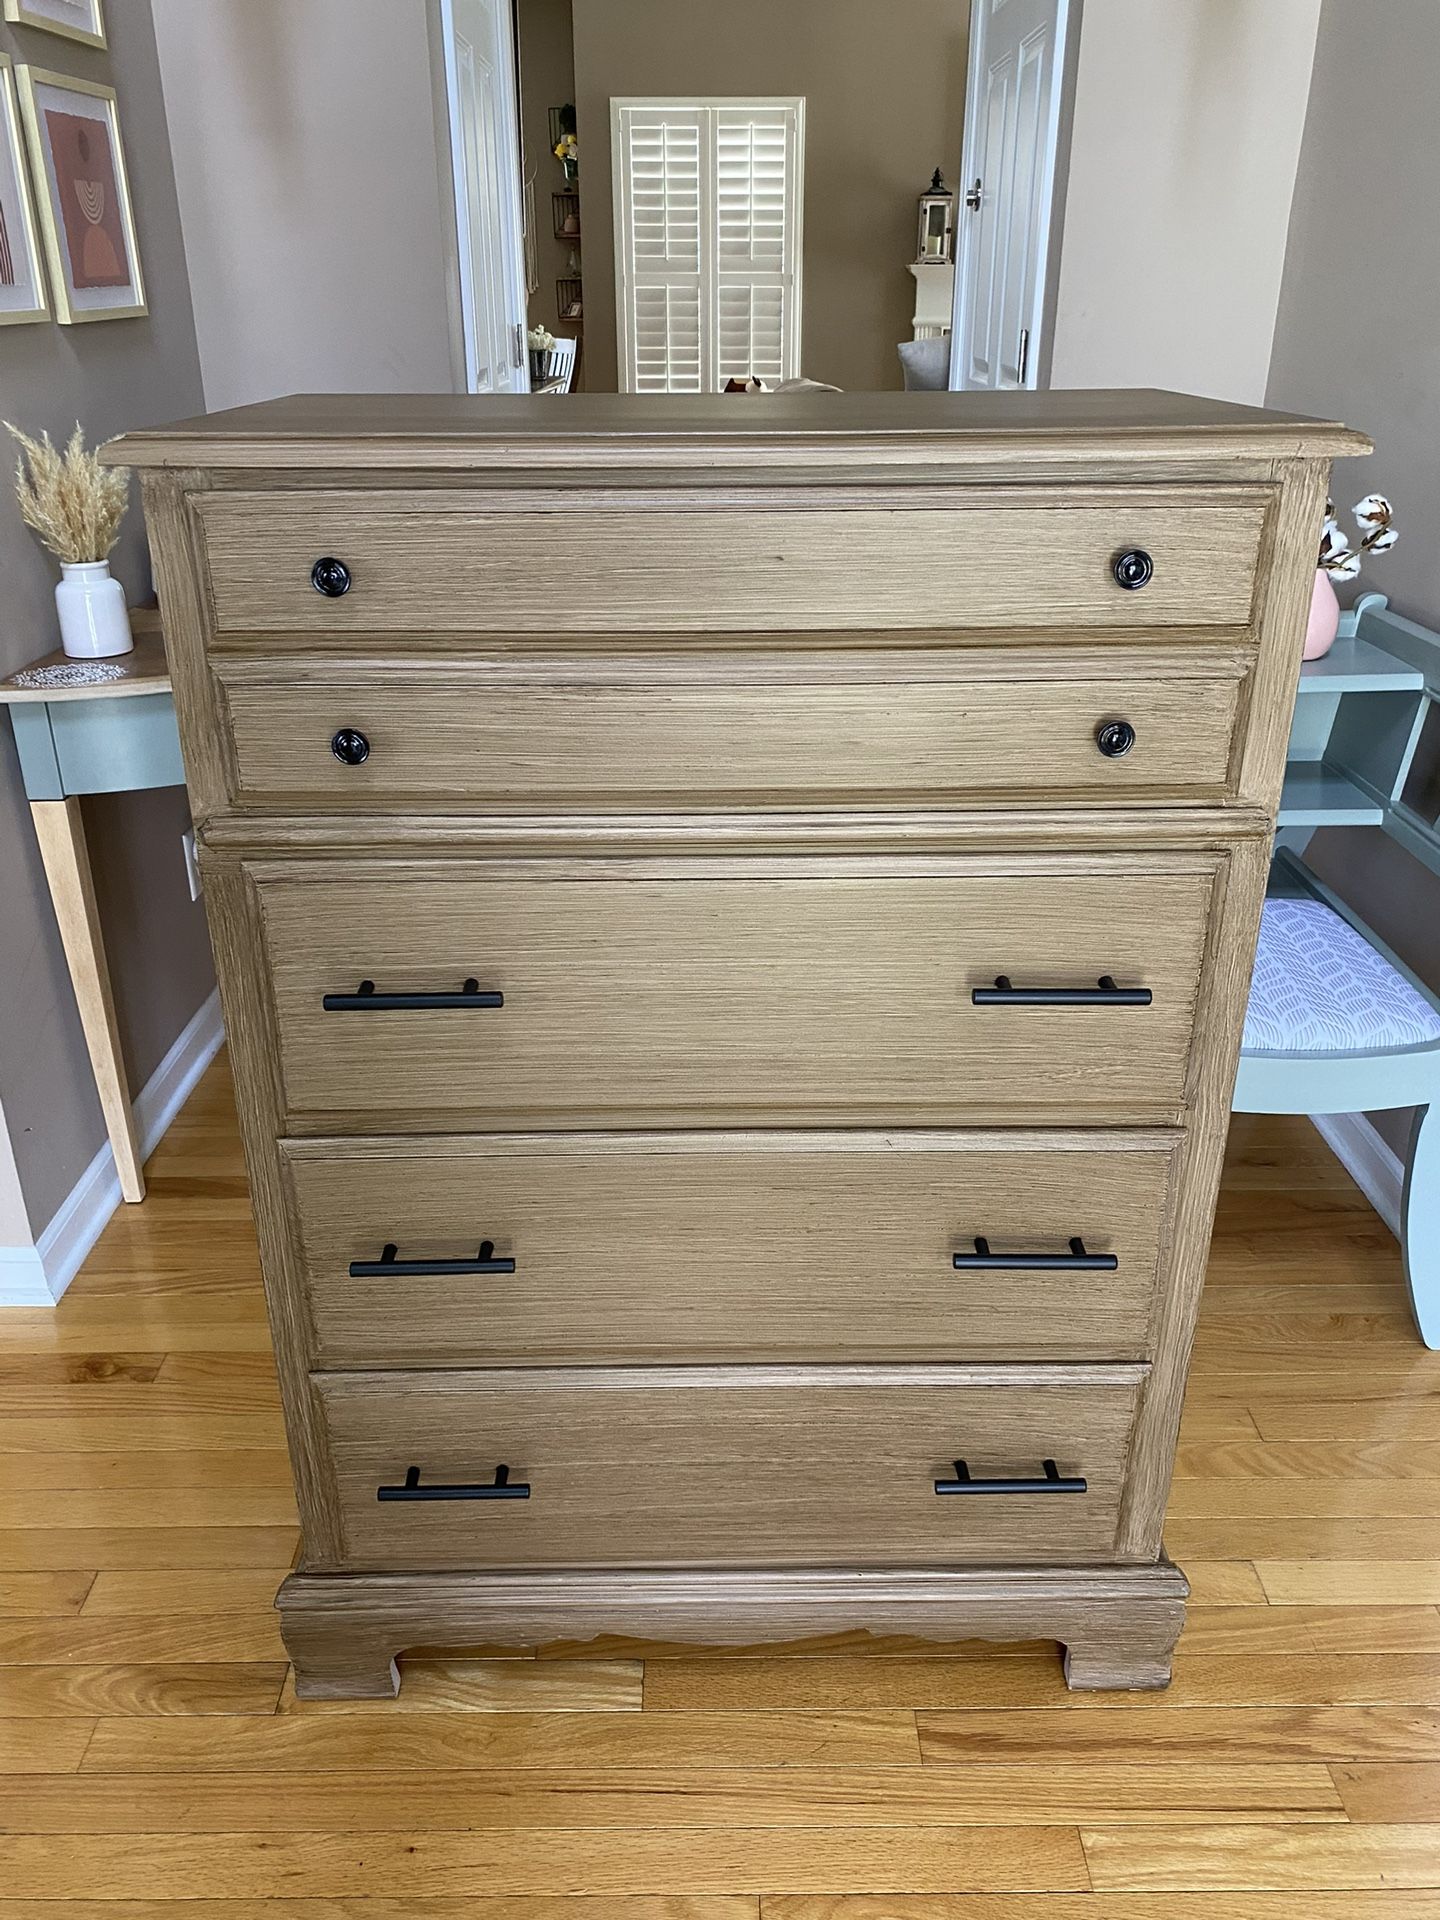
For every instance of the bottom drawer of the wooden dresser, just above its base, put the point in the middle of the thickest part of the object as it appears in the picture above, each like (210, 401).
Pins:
(727, 1468)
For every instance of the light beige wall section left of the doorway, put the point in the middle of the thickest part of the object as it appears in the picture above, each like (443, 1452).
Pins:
(304, 139)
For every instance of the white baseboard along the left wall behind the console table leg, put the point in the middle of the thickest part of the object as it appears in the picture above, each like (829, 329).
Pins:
(37, 1276)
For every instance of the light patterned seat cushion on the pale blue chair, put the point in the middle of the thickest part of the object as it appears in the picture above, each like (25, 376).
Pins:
(1320, 988)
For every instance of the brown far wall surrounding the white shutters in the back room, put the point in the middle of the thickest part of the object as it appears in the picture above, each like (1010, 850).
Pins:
(884, 107)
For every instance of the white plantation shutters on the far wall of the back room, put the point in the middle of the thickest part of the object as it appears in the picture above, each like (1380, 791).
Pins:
(708, 241)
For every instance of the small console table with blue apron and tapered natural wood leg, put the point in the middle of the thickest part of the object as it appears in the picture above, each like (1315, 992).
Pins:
(114, 734)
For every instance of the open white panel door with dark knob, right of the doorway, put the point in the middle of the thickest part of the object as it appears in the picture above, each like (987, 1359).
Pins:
(1007, 191)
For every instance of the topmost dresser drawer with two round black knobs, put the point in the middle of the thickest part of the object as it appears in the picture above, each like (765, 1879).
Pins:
(537, 562)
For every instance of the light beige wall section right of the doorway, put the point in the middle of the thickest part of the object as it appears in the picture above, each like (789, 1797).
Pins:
(1188, 128)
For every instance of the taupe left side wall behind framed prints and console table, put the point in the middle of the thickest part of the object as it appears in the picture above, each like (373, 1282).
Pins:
(112, 375)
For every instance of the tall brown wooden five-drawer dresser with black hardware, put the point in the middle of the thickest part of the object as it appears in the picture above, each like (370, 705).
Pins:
(734, 921)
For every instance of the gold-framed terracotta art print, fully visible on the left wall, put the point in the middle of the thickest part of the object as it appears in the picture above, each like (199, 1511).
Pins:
(85, 203)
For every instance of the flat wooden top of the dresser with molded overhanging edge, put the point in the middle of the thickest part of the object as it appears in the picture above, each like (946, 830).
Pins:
(458, 431)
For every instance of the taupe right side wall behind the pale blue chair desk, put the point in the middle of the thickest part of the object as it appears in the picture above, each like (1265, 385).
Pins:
(1358, 337)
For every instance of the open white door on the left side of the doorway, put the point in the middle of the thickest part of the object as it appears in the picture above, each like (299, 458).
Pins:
(489, 212)
